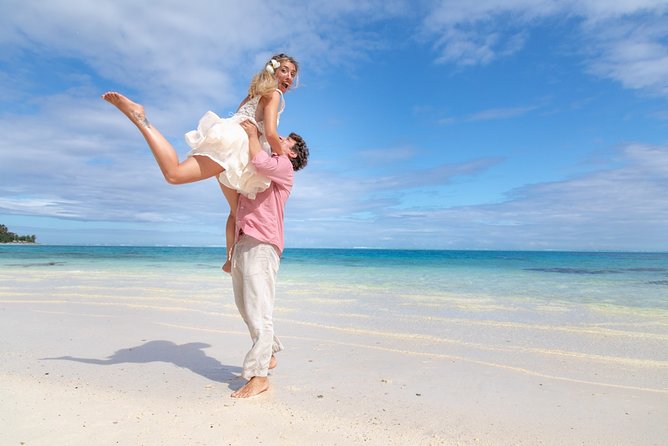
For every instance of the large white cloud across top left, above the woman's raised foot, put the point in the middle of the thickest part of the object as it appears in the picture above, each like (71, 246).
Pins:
(199, 53)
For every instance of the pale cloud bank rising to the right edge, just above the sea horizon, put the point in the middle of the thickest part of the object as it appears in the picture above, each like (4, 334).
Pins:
(617, 208)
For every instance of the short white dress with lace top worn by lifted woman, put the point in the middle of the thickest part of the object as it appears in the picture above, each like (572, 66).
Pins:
(225, 142)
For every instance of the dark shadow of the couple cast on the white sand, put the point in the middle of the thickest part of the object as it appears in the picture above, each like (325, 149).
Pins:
(188, 356)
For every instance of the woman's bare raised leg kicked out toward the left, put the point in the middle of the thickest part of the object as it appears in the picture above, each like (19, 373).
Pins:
(195, 168)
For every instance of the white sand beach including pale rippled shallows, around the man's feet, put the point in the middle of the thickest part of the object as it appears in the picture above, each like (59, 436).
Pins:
(127, 358)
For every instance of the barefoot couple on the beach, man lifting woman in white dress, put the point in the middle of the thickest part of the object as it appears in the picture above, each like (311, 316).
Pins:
(255, 169)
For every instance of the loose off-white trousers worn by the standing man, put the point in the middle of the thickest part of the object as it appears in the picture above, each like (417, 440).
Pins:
(254, 270)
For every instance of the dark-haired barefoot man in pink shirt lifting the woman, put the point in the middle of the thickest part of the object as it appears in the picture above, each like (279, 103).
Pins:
(257, 251)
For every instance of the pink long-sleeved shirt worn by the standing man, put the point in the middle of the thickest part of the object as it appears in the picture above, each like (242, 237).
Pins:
(262, 218)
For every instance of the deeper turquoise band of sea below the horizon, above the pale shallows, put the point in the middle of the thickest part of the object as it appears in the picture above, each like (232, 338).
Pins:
(634, 280)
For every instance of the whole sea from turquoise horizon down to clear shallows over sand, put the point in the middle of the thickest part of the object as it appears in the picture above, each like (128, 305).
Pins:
(593, 318)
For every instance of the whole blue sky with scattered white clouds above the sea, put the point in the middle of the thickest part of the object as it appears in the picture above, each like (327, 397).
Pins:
(494, 124)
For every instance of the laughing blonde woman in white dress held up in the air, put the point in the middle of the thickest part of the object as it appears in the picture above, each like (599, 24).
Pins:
(220, 145)
